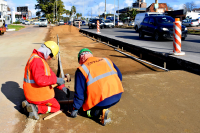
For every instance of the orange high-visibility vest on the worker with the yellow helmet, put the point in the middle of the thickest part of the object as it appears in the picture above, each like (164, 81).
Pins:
(32, 91)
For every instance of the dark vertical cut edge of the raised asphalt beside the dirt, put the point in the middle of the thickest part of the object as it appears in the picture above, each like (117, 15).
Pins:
(173, 62)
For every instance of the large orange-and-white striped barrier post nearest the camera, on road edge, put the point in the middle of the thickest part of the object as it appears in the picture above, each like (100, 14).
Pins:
(177, 37)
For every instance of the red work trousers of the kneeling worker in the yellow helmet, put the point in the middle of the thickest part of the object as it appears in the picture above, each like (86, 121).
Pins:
(43, 105)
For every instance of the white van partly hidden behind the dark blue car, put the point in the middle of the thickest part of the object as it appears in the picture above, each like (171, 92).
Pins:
(140, 16)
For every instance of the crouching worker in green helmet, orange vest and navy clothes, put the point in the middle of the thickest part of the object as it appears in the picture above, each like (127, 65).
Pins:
(97, 86)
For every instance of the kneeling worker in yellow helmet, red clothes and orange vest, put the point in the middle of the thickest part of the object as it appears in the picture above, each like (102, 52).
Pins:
(38, 78)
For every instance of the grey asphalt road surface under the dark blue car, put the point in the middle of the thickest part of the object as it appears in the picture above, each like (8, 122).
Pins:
(191, 45)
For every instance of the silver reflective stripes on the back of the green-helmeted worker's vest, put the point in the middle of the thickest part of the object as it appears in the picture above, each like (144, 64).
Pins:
(92, 80)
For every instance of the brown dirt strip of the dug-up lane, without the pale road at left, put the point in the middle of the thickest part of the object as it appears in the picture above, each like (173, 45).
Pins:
(153, 100)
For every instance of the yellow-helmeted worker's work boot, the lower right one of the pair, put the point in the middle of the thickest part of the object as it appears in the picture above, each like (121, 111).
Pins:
(33, 111)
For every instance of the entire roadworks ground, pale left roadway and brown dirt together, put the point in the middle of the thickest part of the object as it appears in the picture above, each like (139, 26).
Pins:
(154, 101)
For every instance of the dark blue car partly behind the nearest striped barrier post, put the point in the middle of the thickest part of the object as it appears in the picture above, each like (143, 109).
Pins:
(159, 27)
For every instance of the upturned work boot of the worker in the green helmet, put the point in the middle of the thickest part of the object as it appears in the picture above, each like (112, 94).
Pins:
(106, 117)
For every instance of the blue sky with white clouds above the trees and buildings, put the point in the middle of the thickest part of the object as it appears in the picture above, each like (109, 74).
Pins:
(94, 7)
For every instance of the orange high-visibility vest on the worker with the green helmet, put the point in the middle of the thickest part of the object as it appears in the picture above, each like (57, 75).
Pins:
(102, 81)
